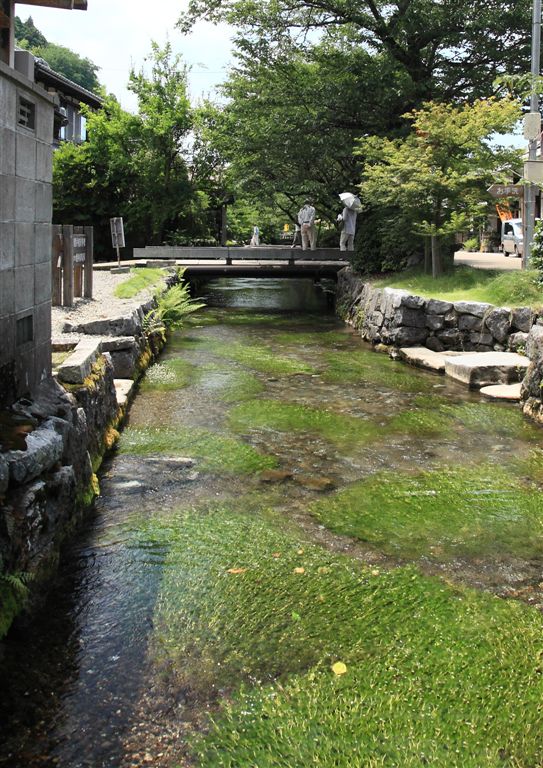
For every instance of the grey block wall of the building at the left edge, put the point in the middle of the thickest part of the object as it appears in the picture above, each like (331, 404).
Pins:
(25, 234)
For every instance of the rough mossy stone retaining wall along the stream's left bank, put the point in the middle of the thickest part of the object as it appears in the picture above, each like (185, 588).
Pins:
(46, 488)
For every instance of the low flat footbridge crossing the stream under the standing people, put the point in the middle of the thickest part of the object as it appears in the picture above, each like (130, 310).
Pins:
(263, 261)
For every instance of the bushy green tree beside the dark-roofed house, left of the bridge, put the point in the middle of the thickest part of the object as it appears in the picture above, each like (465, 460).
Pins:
(132, 165)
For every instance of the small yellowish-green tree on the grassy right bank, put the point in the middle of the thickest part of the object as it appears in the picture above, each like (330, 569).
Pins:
(438, 175)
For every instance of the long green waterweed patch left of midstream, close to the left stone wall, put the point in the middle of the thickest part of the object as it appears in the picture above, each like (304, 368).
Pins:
(217, 453)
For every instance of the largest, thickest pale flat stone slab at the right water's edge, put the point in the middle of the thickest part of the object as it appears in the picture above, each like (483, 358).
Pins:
(481, 369)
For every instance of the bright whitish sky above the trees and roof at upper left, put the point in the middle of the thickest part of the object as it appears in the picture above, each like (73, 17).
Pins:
(117, 34)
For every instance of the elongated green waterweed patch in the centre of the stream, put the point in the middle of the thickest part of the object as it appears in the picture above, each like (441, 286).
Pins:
(289, 417)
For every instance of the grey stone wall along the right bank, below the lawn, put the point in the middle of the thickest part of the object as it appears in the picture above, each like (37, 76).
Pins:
(400, 319)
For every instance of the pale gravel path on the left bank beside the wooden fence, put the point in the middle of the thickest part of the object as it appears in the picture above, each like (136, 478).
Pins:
(104, 304)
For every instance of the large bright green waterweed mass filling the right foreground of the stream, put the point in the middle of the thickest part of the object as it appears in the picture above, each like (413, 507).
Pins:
(435, 676)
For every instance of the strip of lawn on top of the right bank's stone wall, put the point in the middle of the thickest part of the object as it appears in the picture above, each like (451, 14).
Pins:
(511, 288)
